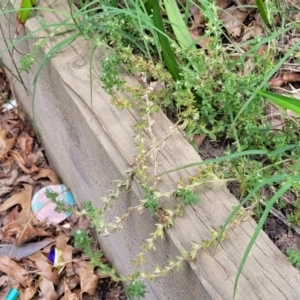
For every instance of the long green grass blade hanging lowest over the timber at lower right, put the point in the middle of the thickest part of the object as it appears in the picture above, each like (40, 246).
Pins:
(260, 224)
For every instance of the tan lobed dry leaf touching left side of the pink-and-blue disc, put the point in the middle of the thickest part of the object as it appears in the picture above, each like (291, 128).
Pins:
(23, 199)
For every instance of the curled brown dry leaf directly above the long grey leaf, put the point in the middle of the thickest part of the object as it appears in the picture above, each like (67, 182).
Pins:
(19, 233)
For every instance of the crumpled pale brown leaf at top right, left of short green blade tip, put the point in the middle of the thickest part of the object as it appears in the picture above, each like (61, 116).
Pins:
(233, 20)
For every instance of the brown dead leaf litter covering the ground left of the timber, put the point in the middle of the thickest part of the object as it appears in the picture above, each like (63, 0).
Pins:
(25, 242)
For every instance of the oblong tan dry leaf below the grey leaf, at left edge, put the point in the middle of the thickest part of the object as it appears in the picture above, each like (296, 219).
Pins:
(13, 270)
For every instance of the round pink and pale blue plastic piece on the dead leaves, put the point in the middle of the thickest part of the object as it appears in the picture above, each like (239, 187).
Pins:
(44, 209)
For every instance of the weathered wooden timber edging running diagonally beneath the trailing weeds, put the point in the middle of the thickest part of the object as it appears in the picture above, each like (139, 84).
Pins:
(90, 148)
